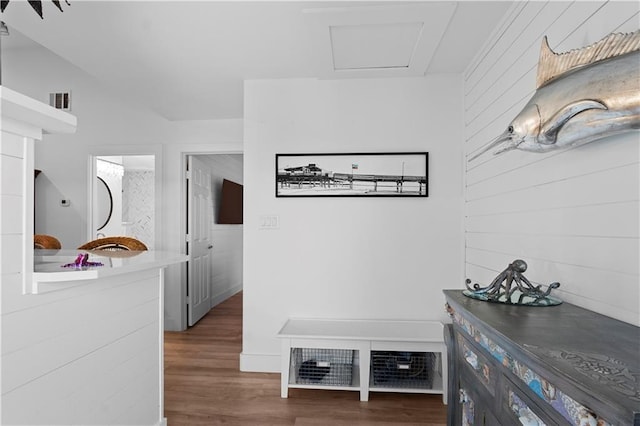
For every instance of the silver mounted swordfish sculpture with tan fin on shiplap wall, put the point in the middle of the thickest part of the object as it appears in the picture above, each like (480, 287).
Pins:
(581, 96)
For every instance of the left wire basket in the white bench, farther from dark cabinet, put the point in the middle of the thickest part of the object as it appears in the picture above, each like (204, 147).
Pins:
(324, 367)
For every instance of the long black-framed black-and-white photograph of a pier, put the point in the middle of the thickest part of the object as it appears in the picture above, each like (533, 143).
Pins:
(403, 174)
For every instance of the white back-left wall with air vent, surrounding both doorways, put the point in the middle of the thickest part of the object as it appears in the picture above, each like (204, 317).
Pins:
(110, 123)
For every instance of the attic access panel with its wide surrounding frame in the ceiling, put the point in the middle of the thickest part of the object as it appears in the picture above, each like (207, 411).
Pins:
(390, 40)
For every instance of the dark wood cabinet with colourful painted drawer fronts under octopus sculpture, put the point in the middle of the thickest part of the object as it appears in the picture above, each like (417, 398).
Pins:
(559, 365)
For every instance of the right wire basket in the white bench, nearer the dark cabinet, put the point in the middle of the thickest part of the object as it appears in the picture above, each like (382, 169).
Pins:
(403, 369)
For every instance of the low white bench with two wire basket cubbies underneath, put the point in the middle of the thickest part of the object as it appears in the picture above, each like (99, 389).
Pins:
(363, 337)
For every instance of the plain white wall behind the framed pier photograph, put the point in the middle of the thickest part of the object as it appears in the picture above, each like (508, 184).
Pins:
(349, 257)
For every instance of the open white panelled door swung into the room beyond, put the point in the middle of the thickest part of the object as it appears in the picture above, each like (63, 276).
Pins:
(200, 219)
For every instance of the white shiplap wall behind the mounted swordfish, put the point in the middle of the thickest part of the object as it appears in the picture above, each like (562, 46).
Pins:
(572, 215)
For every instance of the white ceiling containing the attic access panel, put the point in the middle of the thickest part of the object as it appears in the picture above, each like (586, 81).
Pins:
(188, 60)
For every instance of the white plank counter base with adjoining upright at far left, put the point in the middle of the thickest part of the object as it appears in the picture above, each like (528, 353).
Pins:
(87, 353)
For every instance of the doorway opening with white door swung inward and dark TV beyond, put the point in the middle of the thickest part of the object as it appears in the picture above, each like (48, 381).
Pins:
(214, 246)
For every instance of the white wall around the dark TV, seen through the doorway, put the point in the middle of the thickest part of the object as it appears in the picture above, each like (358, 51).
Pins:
(226, 276)
